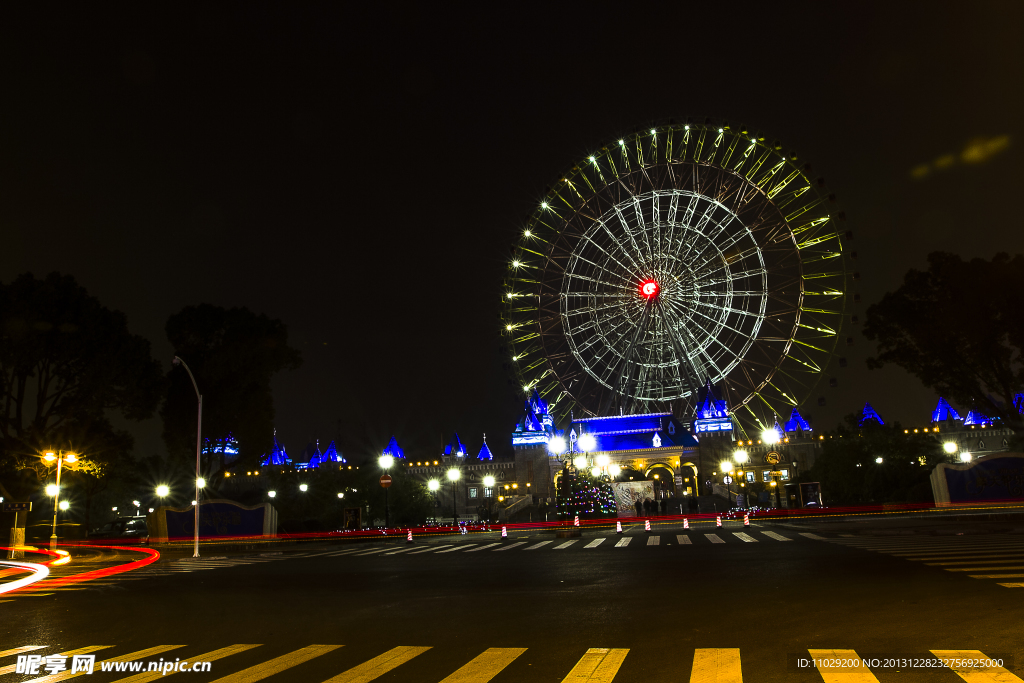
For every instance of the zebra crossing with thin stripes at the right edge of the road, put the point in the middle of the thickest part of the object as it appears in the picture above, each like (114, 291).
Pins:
(996, 558)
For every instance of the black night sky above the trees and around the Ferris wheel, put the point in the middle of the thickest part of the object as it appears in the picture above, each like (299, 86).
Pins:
(361, 175)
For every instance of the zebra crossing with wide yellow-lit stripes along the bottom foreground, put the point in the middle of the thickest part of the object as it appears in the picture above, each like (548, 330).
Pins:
(251, 663)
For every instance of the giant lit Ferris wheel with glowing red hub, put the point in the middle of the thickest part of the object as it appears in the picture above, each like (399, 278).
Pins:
(678, 255)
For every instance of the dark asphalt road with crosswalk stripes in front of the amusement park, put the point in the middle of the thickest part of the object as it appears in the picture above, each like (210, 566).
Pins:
(765, 601)
